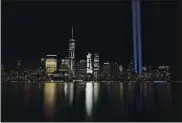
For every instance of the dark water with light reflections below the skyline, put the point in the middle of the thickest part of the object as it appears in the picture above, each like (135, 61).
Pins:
(117, 102)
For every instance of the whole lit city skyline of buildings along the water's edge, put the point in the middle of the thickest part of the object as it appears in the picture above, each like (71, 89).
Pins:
(87, 69)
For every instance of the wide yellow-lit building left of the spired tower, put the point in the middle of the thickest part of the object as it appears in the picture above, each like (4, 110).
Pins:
(51, 64)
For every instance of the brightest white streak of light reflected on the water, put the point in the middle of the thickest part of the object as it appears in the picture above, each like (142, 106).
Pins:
(89, 98)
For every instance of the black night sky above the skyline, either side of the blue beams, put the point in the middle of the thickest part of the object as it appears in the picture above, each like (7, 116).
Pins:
(31, 30)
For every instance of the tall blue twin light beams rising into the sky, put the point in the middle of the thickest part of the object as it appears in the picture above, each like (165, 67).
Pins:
(137, 36)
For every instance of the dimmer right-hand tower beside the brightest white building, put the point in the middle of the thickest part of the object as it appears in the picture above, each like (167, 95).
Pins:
(96, 65)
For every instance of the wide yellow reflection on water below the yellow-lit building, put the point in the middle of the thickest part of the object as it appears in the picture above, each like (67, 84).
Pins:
(49, 99)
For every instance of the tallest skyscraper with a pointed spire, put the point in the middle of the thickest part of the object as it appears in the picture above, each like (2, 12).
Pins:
(71, 54)
